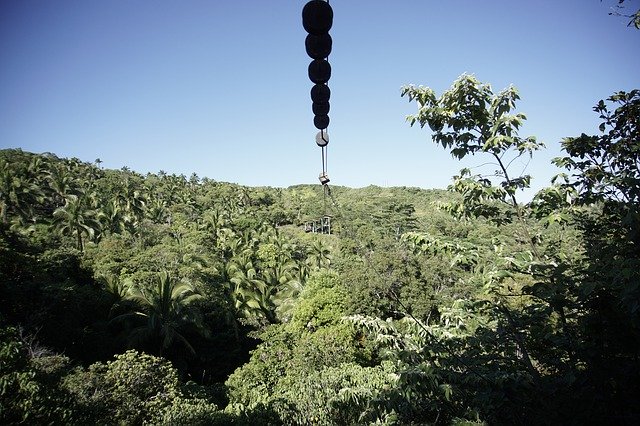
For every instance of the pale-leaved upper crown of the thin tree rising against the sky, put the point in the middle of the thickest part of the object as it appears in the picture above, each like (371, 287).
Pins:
(470, 119)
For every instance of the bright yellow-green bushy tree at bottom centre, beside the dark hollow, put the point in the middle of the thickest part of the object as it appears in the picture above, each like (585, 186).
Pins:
(316, 342)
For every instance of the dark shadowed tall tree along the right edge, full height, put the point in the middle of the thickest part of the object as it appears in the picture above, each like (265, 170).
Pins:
(605, 175)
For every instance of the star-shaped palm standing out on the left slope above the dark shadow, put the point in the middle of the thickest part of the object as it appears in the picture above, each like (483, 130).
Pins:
(76, 218)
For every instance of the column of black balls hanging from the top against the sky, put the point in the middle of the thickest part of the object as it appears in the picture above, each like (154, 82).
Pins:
(317, 18)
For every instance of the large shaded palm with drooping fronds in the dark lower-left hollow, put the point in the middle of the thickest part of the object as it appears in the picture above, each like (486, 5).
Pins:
(166, 308)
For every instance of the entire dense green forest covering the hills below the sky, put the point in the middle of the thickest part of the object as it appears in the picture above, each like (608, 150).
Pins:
(164, 299)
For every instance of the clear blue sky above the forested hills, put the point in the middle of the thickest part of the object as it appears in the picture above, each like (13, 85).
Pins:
(220, 88)
